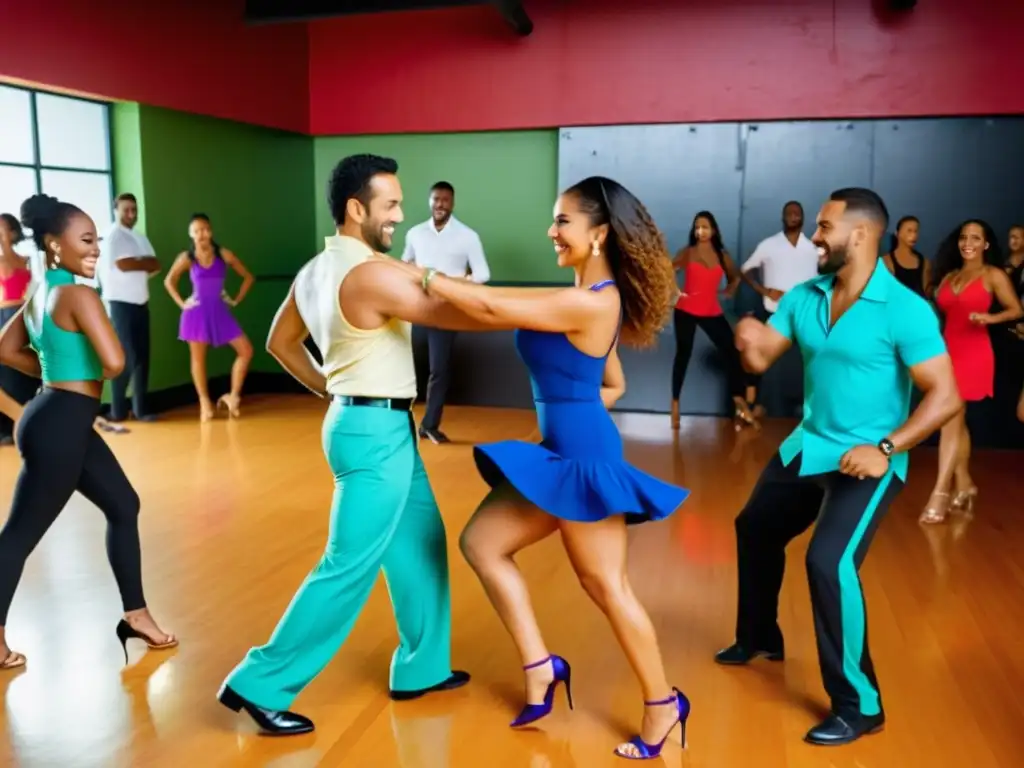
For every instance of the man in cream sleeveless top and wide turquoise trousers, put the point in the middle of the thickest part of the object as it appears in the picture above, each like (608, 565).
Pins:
(358, 308)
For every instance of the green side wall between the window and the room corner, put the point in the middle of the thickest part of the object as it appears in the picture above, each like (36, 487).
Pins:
(253, 183)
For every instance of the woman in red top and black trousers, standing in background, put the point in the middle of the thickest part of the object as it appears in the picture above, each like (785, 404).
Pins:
(705, 263)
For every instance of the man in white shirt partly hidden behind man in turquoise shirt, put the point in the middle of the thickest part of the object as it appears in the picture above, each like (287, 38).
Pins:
(784, 261)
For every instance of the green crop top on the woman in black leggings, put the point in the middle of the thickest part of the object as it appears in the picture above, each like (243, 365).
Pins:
(64, 356)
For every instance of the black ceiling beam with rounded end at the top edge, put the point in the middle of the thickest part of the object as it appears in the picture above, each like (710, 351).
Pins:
(279, 12)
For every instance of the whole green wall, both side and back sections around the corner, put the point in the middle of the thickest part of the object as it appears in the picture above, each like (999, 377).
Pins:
(266, 194)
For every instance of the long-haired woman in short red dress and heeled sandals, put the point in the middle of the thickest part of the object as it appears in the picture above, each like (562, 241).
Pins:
(969, 274)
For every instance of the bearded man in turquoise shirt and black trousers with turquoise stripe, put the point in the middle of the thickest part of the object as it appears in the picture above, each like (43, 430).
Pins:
(866, 340)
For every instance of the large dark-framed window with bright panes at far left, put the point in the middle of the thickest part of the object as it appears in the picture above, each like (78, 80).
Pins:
(57, 145)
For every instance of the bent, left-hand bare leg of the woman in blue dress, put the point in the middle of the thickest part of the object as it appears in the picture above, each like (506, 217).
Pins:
(503, 525)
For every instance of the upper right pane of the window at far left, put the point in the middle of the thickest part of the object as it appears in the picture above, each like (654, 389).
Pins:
(72, 133)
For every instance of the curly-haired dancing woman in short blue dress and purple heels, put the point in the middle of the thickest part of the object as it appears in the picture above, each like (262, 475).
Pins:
(576, 483)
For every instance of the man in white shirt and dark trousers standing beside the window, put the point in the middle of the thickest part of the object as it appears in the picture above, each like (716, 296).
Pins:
(126, 264)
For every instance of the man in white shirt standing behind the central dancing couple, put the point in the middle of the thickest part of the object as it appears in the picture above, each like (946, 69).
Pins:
(445, 244)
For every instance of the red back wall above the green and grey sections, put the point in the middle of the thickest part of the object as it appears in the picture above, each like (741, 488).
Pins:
(608, 62)
